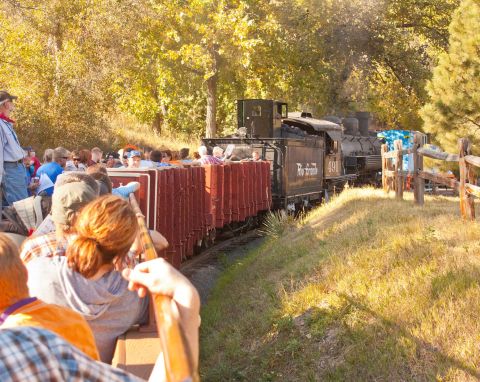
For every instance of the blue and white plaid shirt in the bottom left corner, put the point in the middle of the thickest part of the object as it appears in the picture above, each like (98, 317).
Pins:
(33, 354)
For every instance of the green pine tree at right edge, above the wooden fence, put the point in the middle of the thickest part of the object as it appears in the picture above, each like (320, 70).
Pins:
(454, 107)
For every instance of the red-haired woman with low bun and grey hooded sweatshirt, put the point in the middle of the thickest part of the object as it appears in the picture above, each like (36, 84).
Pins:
(87, 279)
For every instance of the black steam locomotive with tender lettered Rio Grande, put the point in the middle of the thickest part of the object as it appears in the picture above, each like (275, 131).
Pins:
(309, 157)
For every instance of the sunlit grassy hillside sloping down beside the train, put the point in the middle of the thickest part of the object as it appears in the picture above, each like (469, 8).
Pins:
(363, 289)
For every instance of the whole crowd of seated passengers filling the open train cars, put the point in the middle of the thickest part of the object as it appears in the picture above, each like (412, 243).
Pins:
(73, 284)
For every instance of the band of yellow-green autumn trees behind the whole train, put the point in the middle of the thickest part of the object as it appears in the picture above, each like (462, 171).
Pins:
(177, 67)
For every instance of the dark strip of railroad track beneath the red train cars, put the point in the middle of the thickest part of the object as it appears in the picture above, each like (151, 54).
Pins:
(210, 255)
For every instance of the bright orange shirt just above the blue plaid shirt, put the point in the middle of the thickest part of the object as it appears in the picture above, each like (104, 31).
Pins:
(62, 321)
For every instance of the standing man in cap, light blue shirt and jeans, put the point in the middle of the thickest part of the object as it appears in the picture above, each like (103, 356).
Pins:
(12, 170)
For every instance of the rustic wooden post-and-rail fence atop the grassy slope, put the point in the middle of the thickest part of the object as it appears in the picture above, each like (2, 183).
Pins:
(393, 176)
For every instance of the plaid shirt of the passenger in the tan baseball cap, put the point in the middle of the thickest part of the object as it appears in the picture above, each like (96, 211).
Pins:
(43, 246)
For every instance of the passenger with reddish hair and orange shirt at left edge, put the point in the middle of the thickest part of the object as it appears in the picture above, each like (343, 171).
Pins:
(18, 308)
